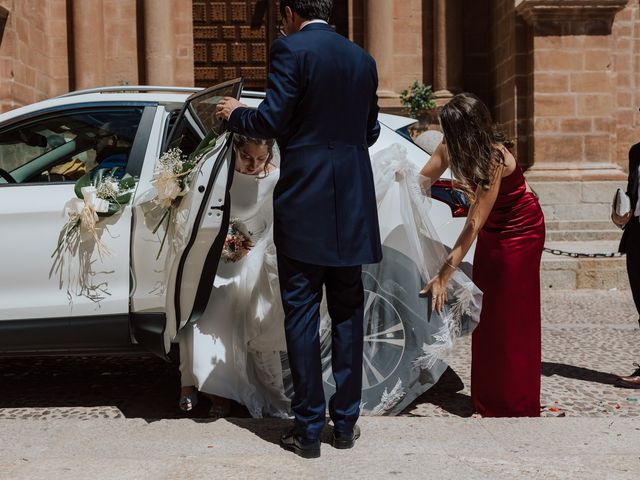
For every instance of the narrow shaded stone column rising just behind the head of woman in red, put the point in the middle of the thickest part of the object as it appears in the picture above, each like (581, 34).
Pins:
(448, 49)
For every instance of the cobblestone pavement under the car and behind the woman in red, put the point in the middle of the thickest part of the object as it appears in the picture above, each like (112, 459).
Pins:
(588, 338)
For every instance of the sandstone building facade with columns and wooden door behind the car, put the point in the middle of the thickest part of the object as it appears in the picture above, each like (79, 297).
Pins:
(560, 75)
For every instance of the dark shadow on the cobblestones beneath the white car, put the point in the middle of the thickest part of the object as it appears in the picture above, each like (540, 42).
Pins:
(139, 387)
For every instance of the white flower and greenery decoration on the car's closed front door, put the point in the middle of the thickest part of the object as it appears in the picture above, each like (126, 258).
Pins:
(99, 194)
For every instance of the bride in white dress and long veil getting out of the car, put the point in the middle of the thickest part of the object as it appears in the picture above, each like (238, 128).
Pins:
(237, 351)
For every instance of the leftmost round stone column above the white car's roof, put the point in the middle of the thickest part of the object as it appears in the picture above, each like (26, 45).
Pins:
(88, 41)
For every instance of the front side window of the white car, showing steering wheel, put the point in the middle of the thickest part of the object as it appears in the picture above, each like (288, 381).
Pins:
(61, 147)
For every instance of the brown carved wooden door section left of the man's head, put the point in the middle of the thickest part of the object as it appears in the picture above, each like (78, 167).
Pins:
(225, 47)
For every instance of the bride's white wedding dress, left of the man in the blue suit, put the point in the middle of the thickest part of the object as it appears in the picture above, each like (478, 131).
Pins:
(235, 349)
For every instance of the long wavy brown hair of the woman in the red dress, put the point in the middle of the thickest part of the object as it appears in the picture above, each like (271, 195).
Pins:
(473, 142)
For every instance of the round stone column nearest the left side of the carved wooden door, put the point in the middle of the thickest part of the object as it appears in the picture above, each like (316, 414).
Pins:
(159, 42)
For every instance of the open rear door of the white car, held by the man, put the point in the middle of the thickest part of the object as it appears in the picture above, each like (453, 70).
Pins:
(173, 288)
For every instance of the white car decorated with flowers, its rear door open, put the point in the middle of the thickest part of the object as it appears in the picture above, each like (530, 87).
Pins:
(137, 302)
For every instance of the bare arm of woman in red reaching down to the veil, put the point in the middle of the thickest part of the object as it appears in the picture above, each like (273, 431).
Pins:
(478, 214)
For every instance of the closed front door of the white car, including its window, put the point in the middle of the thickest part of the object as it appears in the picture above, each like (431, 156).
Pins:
(56, 301)
